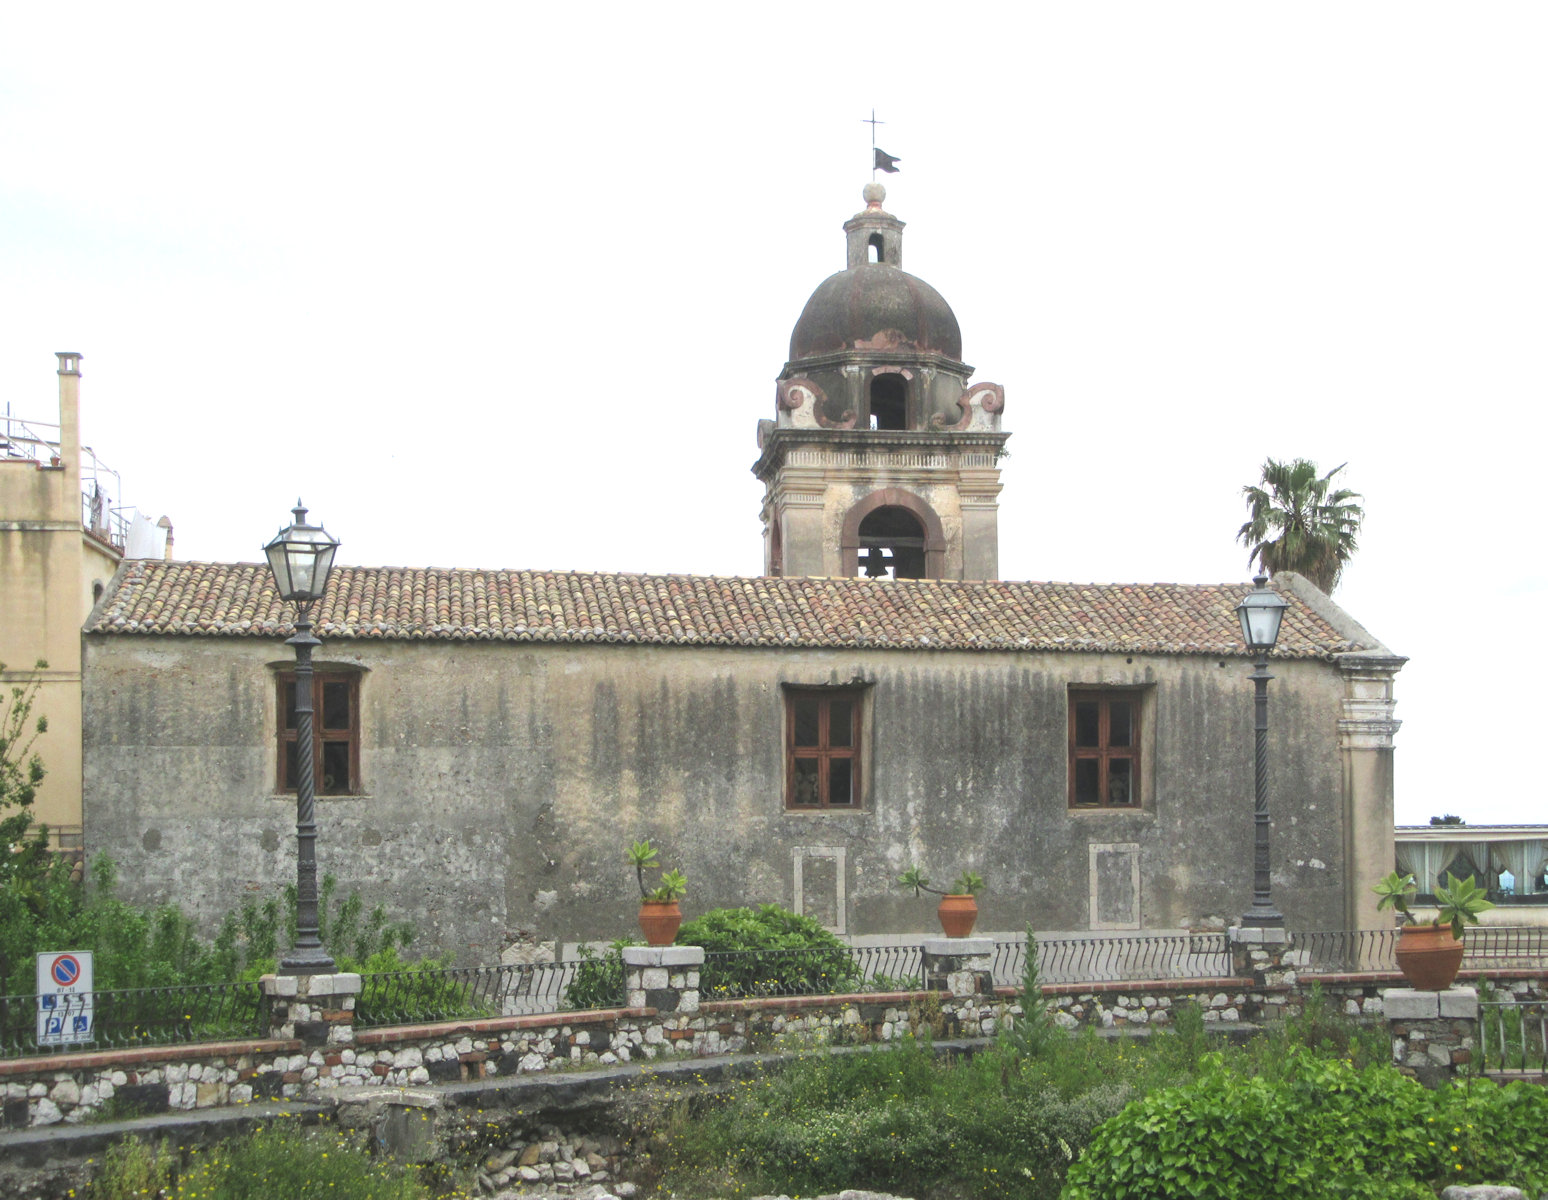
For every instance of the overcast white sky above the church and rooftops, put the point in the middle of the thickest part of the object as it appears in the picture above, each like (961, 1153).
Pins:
(509, 286)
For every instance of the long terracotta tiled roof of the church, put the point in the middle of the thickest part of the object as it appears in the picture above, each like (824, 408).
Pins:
(426, 605)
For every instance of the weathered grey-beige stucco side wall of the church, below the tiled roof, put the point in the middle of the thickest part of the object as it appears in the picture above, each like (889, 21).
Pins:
(502, 784)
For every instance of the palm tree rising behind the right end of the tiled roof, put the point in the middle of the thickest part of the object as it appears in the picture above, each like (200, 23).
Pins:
(1301, 524)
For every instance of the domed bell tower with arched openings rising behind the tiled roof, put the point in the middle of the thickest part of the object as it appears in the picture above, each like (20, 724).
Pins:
(882, 459)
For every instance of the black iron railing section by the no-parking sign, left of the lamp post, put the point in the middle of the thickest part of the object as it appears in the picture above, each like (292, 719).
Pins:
(131, 1018)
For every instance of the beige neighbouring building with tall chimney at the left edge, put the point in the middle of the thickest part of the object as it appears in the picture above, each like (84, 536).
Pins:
(63, 535)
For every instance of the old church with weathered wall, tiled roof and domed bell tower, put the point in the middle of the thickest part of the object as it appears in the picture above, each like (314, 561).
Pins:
(491, 741)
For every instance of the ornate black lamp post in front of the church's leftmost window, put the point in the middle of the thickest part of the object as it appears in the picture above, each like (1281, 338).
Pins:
(301, 560)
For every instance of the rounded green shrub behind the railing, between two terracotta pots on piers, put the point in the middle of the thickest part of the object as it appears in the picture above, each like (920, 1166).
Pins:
(778, 953)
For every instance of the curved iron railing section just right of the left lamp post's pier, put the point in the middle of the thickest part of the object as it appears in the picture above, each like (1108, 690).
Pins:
(468, 993)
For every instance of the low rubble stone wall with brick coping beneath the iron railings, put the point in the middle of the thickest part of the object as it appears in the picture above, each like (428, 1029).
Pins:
(77, 1088)
